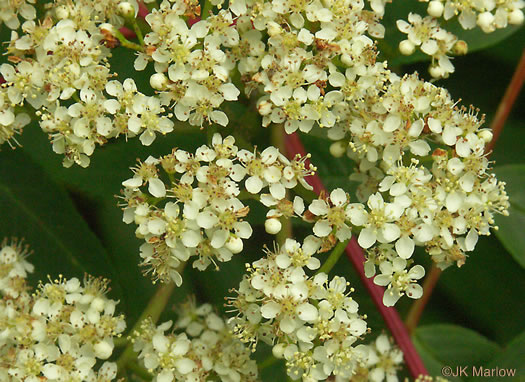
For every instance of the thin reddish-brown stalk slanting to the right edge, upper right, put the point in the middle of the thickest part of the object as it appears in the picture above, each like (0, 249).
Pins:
(507, 102)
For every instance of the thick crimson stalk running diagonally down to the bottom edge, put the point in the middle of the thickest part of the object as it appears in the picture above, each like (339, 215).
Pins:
(355, 254)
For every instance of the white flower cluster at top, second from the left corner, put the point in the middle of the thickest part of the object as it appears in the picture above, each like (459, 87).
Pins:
(195, 59)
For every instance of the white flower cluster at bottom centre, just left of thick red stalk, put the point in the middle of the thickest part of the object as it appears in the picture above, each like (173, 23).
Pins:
(311, 322)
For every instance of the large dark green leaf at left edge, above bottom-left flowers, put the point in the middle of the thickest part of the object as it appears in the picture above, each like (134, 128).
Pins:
(33, 207)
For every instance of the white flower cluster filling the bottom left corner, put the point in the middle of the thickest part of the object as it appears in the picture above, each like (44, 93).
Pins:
(59, 333)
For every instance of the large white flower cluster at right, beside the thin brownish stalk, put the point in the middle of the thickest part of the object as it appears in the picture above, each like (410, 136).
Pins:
(441, 198)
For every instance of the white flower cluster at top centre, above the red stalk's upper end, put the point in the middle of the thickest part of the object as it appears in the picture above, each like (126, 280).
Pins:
(301, 85)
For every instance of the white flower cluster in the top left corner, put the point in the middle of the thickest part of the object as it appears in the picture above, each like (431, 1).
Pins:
(54, 62)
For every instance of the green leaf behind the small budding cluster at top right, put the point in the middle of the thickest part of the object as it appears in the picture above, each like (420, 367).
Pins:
(476, 38)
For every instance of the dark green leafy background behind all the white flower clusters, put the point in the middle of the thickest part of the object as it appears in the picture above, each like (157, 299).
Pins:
(476, 314)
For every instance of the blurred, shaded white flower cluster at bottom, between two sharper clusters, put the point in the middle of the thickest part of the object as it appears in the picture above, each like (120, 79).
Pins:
(200, 347)
